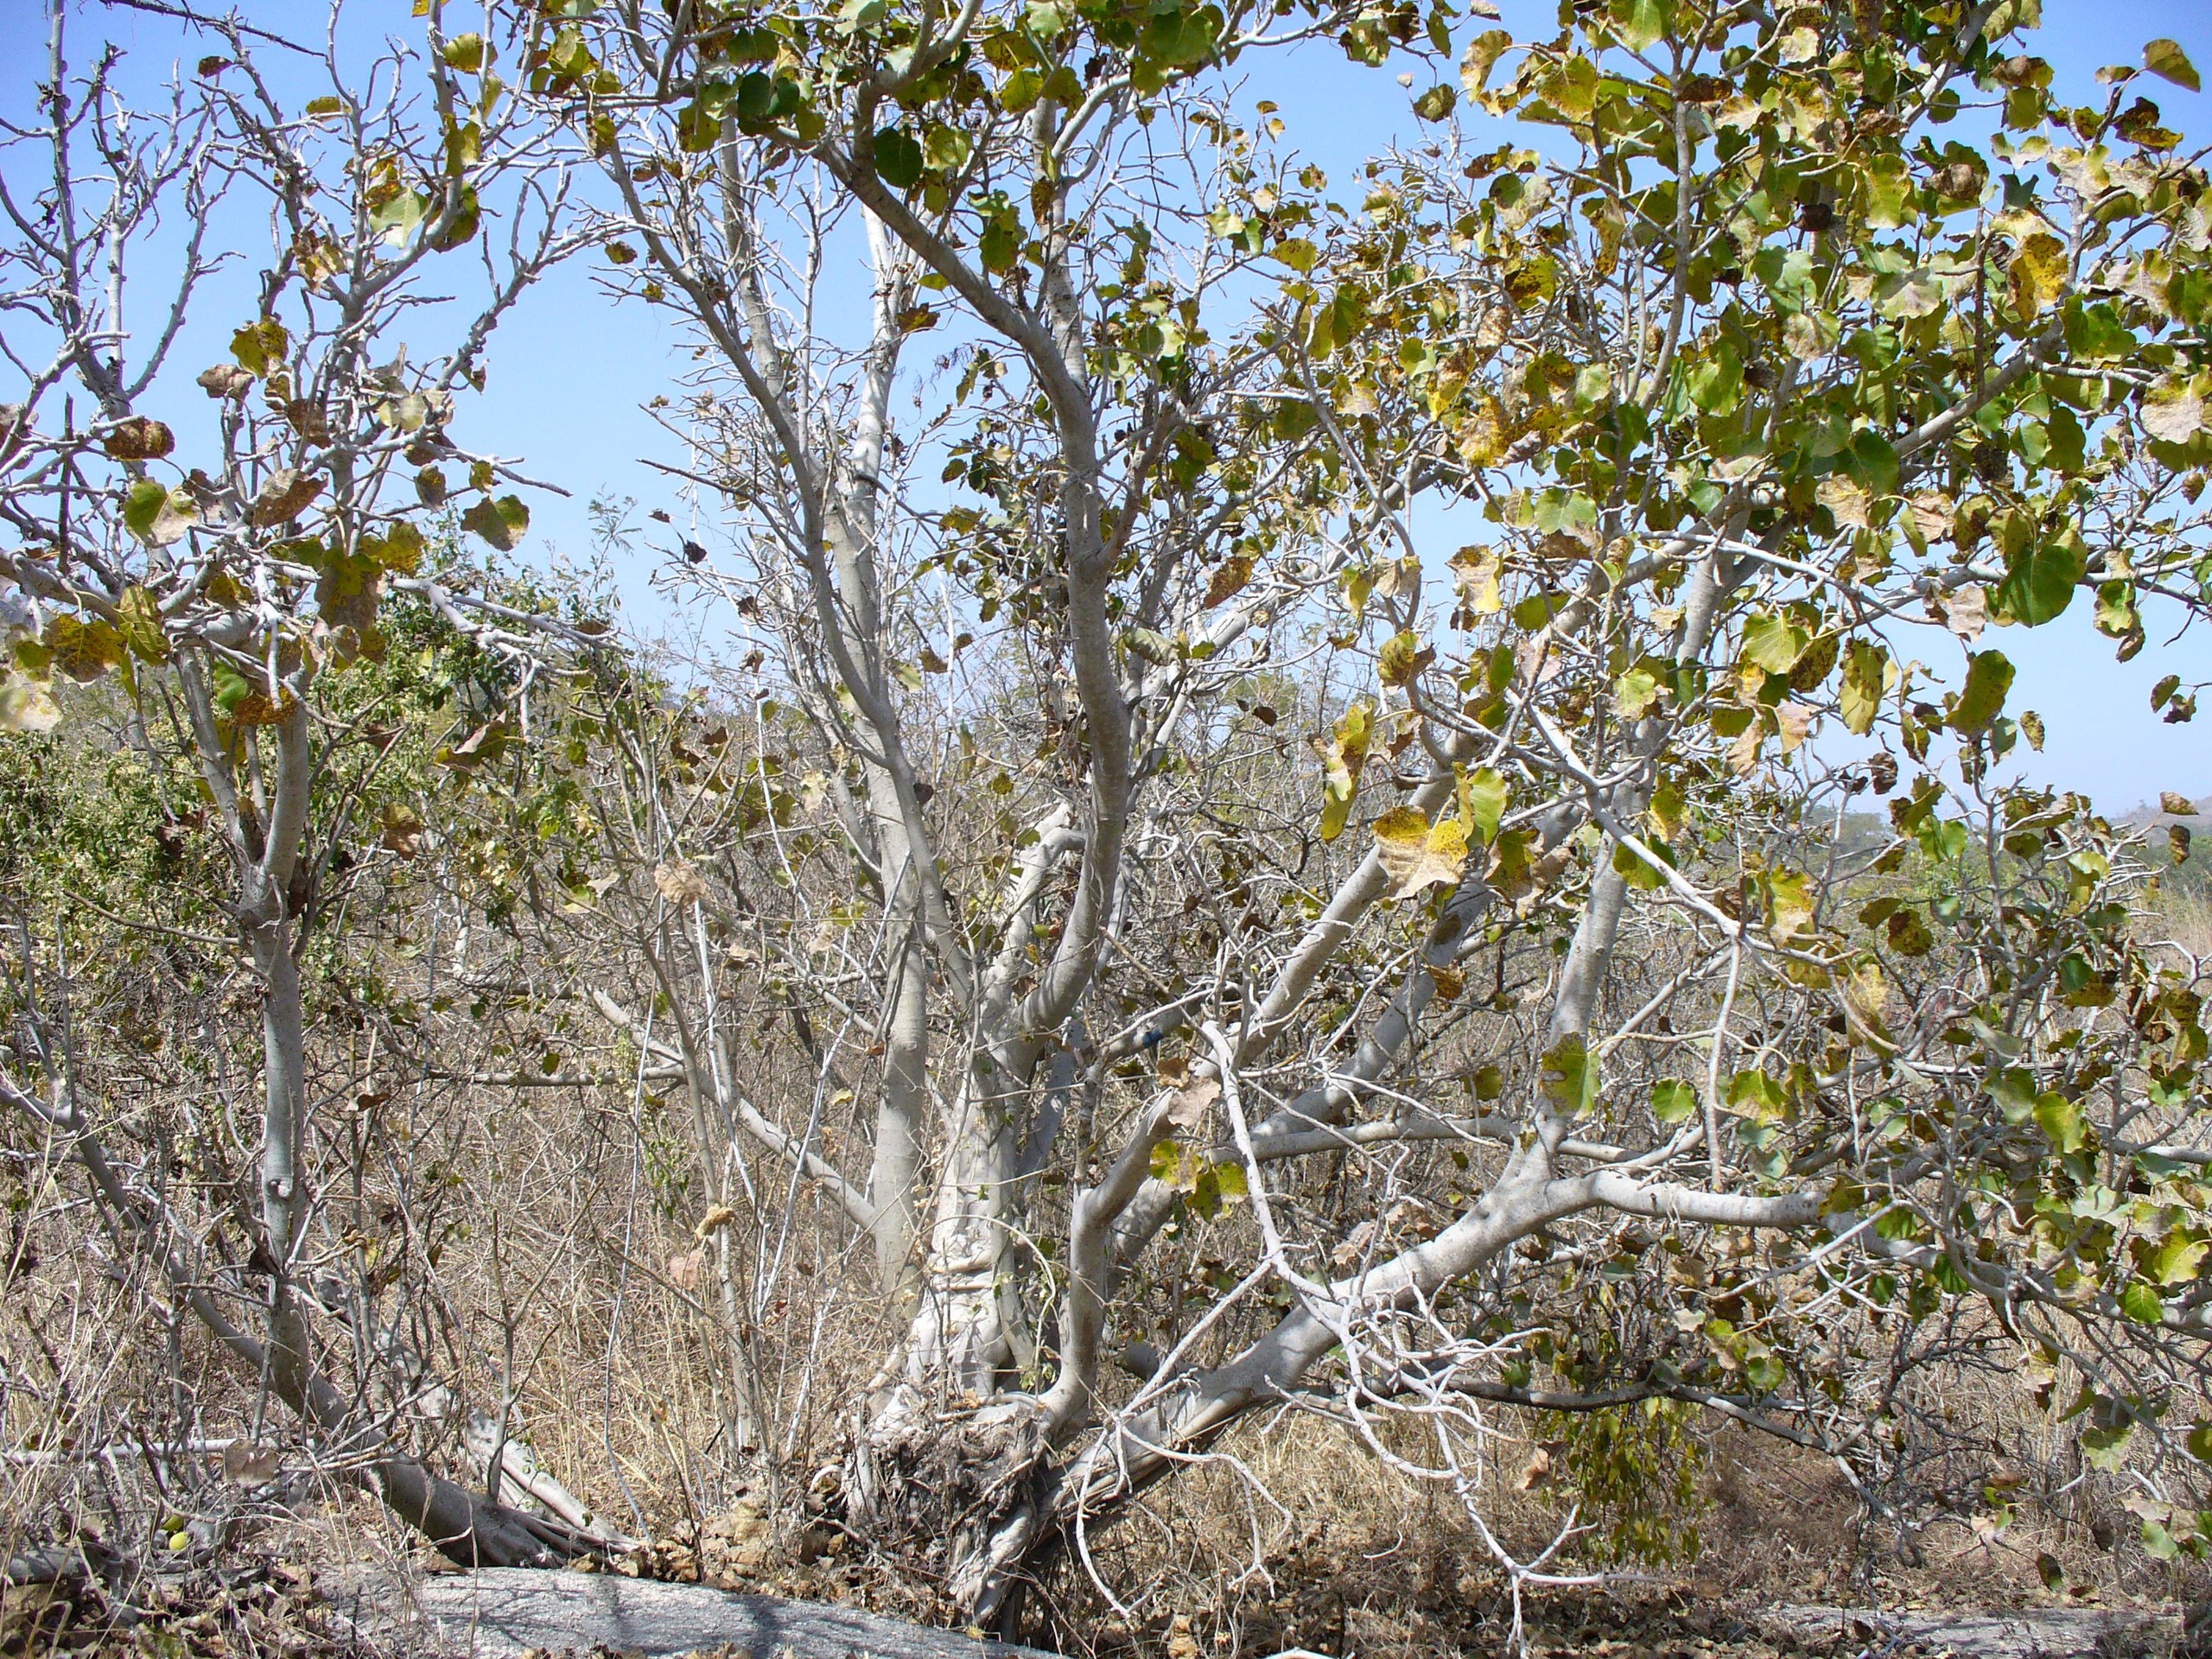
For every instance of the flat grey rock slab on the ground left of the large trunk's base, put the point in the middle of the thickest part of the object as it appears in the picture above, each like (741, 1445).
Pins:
(510, 1611)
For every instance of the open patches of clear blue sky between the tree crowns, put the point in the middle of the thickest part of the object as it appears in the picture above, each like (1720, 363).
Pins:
(572, 371)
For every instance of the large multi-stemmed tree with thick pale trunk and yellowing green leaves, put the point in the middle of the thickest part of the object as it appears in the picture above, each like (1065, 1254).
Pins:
(1753, 371)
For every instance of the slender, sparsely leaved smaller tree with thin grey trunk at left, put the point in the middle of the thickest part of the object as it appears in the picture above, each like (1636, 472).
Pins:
(236, 583)
